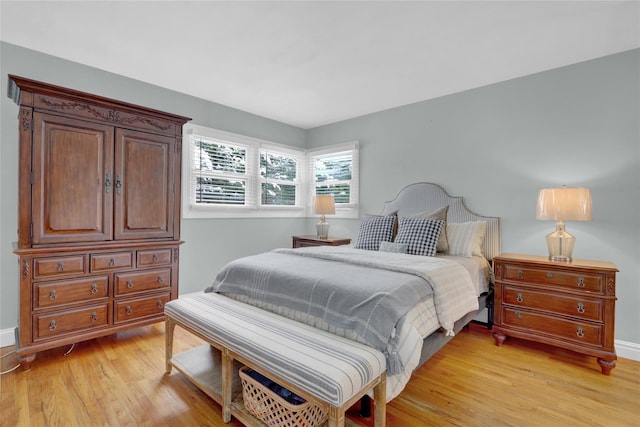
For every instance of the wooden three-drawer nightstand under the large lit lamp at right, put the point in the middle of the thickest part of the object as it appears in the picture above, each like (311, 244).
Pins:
(568, 305)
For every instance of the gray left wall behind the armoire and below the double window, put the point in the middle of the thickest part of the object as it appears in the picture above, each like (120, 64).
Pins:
(209, 244)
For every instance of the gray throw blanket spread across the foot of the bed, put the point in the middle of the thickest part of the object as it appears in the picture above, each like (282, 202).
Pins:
(370, 301)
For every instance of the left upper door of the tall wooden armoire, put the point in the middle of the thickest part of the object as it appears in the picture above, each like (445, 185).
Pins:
(72, 172)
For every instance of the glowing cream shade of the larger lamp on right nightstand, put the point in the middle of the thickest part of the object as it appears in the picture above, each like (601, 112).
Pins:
(564, 204)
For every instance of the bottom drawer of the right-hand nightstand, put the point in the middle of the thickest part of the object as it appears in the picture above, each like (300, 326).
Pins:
(563, 329)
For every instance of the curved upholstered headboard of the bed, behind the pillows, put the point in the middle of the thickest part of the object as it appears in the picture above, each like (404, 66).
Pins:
(427, 197)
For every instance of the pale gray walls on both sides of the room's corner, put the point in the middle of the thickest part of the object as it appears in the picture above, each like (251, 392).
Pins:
(496, 145)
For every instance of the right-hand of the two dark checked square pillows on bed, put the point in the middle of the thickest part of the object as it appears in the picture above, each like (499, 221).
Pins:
(420, 235)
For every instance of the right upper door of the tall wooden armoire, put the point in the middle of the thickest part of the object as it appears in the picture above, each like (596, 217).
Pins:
(144, 185)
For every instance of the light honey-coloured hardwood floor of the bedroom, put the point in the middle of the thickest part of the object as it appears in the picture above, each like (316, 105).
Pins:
(119, 381)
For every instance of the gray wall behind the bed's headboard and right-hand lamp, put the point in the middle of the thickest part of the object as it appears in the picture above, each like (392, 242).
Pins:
(499, 144)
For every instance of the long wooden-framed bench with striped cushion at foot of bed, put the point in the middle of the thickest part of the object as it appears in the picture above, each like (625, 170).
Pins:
(318, 366)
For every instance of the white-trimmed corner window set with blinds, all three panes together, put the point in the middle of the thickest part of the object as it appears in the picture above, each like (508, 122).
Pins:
(233, 176)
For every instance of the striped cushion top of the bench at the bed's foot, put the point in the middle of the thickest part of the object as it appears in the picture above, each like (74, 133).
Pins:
(329, 367)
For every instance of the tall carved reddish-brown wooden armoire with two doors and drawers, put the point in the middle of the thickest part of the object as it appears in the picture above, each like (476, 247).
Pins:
(98, 215)
